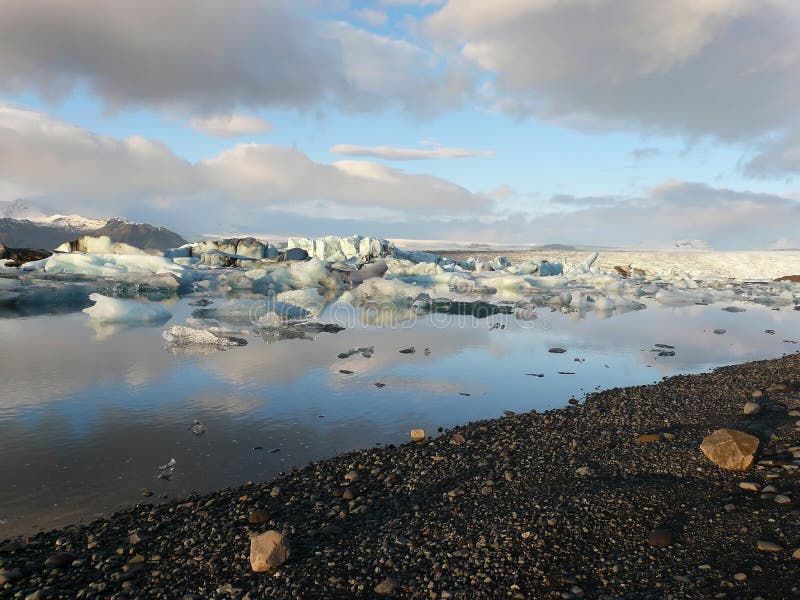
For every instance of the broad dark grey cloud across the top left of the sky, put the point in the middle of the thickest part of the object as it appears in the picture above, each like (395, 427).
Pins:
(208, 57)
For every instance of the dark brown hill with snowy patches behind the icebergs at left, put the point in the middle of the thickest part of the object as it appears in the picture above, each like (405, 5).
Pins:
(21, 233)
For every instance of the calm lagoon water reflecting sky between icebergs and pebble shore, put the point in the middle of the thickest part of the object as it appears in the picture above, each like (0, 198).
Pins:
(88, 414)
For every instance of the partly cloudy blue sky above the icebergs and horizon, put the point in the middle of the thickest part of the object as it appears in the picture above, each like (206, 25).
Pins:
(588, 122)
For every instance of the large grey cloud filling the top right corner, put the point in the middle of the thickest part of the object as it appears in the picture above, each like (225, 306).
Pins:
(728, 68)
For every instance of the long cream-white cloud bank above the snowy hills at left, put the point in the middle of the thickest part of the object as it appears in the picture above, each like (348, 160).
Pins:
(49, 158)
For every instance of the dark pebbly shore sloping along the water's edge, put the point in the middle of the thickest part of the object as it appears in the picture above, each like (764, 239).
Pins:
(607, 498)
